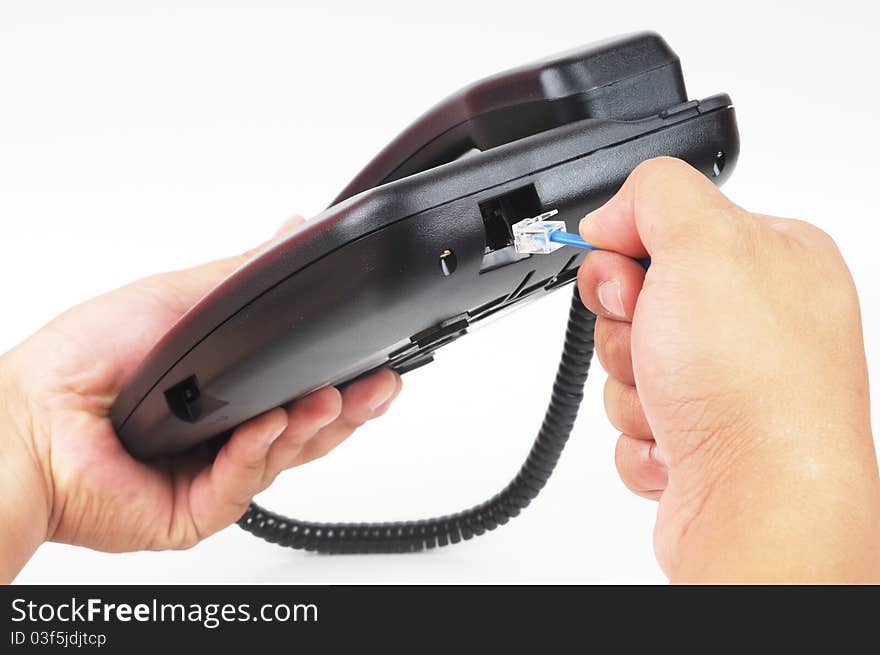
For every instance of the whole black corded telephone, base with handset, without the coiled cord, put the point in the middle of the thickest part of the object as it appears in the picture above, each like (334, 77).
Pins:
(414, 253)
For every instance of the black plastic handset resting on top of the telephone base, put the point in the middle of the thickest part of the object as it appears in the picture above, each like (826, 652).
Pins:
(623, 78)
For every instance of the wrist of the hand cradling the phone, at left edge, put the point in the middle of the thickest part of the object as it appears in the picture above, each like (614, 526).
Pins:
(25, 500)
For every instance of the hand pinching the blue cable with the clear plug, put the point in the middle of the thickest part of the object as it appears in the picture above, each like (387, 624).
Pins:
(737, 378)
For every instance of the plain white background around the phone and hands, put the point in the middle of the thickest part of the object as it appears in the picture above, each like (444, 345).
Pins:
(143, 136)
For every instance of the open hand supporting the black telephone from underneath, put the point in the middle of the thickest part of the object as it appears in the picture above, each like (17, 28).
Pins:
(67, 478)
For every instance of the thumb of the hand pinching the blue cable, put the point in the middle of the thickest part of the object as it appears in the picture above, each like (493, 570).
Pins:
(665, 204)
